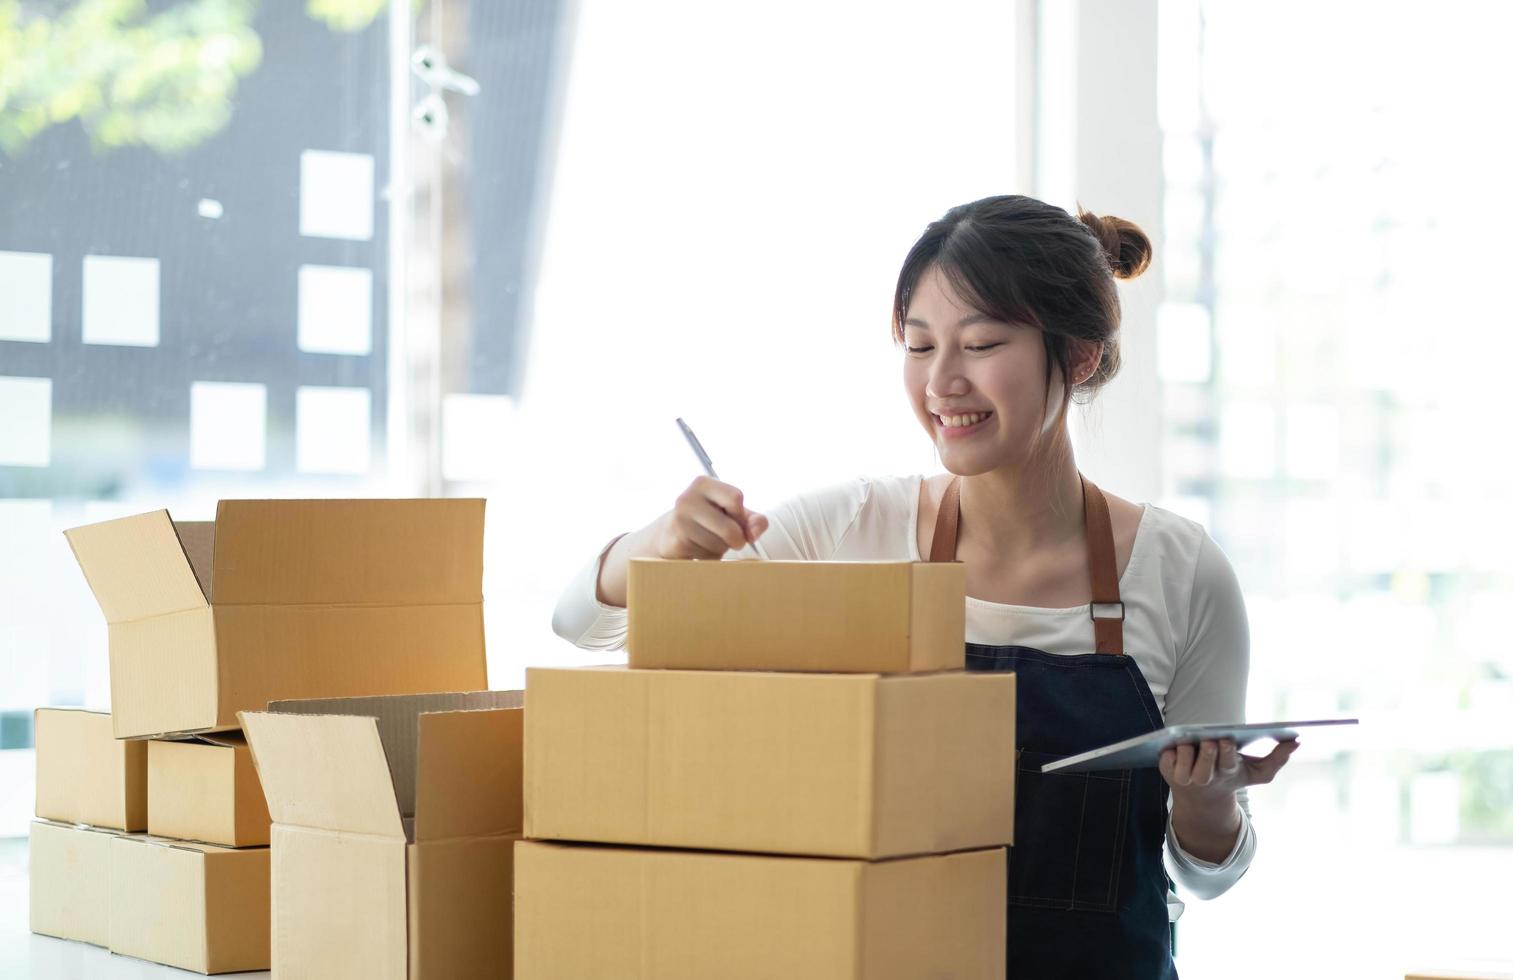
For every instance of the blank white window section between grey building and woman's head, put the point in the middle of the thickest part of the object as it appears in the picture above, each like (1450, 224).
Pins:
(736, 188)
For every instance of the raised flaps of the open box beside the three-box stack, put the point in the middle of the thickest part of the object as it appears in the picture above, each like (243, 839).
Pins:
(435, 766)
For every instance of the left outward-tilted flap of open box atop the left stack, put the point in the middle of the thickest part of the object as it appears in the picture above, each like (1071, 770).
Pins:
(138, 566)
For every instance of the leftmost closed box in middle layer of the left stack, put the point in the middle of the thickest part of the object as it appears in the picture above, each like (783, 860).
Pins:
(84, 775)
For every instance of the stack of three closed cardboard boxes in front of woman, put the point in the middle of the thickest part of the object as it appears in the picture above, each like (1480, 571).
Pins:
(792, 778)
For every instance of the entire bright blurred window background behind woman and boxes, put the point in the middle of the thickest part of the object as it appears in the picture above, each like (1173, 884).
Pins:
(492, 249)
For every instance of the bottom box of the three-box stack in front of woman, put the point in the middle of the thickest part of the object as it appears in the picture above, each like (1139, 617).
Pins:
(589, 913)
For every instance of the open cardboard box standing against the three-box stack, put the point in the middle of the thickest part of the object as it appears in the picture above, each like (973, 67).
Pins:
(394, 830)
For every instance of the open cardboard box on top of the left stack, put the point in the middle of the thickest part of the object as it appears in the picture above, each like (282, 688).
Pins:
(285, 600)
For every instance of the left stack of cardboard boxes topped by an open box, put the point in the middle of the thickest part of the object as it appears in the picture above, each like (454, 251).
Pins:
(273, 600)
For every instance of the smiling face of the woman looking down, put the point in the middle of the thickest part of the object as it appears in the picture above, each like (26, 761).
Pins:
(977, 385)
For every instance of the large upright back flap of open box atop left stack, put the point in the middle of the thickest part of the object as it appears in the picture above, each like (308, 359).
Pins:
(397, 553)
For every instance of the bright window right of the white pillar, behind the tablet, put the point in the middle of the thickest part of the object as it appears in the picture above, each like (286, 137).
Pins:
(1329, 349)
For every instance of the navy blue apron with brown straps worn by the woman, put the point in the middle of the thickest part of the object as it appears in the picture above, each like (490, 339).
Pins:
(1087, 885)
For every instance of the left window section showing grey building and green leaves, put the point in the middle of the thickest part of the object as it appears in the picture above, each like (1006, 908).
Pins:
(222, 274)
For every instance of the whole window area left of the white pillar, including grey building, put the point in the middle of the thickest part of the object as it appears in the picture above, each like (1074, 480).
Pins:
(482, 250)
